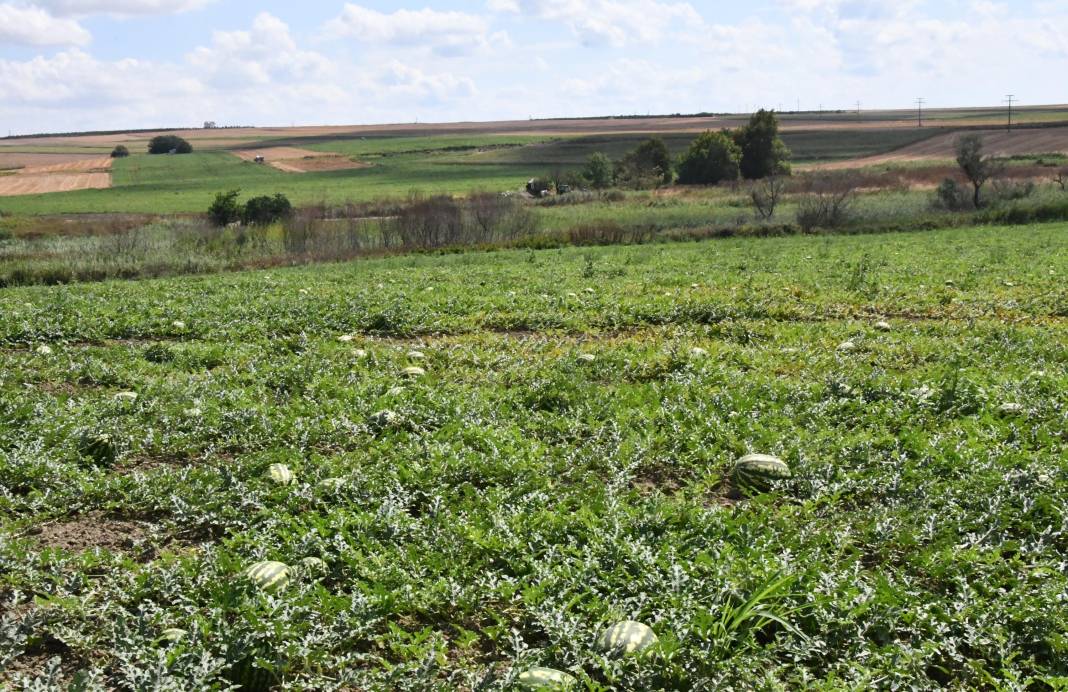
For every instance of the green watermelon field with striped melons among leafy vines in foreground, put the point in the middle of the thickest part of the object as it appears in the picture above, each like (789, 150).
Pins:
(451, 473)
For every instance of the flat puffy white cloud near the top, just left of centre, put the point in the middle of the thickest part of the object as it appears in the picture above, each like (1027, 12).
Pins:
(445, 33)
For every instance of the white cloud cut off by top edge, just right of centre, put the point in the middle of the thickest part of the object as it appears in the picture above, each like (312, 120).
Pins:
(614, 22)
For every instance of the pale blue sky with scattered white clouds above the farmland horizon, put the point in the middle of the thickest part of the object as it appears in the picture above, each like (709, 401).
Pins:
(73, 66)
